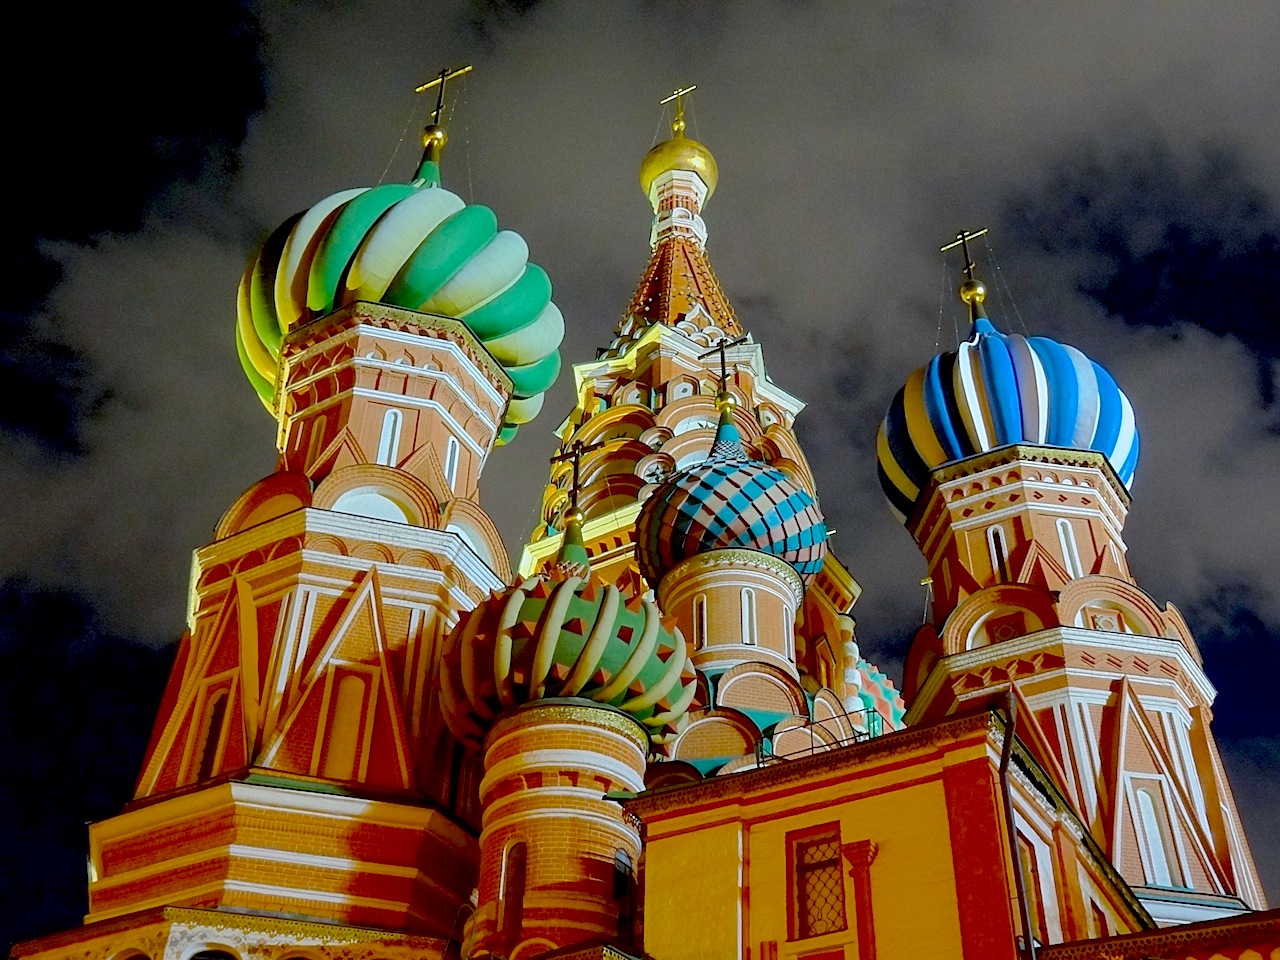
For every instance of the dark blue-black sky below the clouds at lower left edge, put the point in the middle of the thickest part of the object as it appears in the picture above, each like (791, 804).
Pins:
(79, 705)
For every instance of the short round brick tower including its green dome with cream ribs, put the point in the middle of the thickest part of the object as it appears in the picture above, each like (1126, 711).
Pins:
(561, 682)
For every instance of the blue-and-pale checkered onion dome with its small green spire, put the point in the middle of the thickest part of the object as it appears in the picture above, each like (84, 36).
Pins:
(730, 501)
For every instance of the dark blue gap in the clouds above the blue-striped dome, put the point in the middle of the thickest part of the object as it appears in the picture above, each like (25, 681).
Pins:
(1162, 240)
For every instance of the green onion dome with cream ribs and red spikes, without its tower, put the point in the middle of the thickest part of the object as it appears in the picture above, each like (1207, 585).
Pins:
(564, 634)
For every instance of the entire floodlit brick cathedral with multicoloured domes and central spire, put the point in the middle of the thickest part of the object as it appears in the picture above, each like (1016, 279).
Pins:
(659, 737)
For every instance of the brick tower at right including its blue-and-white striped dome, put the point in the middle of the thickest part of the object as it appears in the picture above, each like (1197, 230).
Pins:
(1011, 460)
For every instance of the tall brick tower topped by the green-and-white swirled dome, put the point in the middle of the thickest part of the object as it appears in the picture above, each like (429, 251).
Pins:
(301, 766)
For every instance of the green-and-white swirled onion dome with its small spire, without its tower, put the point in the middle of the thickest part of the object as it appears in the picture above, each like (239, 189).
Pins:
(408, 245)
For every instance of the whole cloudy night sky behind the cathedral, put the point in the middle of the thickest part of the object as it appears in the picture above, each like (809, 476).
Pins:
(1127, 159)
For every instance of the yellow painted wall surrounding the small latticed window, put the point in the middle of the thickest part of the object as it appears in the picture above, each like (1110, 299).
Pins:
(691, 912)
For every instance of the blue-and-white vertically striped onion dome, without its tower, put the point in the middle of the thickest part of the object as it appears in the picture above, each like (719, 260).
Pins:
(994, 391)
